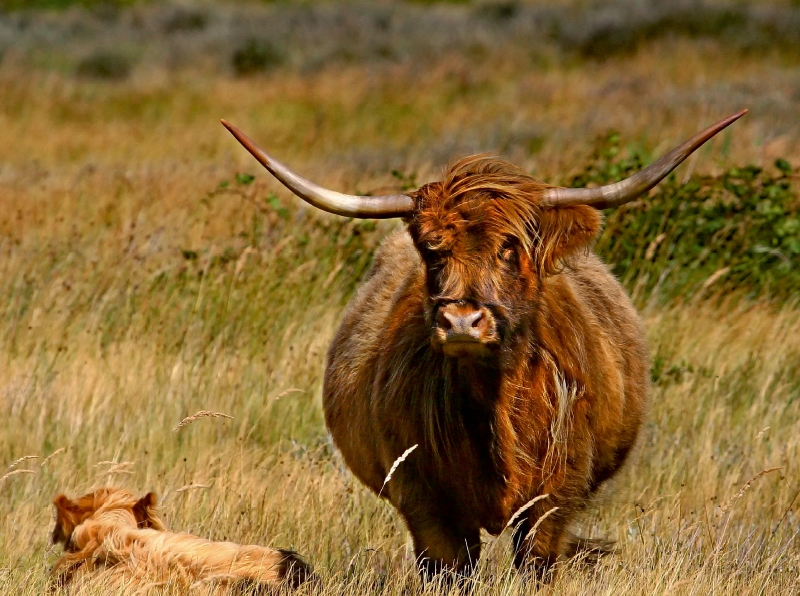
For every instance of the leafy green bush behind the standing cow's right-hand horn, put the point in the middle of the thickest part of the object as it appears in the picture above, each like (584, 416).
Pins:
(715, 235)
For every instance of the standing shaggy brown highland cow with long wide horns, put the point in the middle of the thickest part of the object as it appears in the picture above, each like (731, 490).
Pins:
(491, 336)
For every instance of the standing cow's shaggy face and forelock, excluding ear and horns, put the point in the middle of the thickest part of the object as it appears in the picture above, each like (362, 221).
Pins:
(475, 232)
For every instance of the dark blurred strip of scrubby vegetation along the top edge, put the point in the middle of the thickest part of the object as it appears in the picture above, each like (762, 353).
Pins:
(245, 38)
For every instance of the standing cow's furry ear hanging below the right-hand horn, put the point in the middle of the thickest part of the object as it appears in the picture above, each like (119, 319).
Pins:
(563, 232)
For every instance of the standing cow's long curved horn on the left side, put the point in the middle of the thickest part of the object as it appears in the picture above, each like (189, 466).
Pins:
(379, 207)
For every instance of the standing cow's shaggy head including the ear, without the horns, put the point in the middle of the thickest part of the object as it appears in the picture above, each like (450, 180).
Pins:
(486, 245)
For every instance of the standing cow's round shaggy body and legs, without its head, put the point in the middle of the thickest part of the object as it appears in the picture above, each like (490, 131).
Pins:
(560, 420)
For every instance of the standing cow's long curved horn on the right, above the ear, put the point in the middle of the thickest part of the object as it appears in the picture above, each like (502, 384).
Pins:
(619, 193)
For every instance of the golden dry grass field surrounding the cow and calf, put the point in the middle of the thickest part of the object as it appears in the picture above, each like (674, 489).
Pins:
(135, 292)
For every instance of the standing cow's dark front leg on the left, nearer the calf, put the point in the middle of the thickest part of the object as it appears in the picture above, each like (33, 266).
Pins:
(443, 544)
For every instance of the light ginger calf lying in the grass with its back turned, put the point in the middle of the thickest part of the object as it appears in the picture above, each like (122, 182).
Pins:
(111, 538)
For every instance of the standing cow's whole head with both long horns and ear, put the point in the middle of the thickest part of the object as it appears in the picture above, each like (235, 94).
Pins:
(487, 234)
